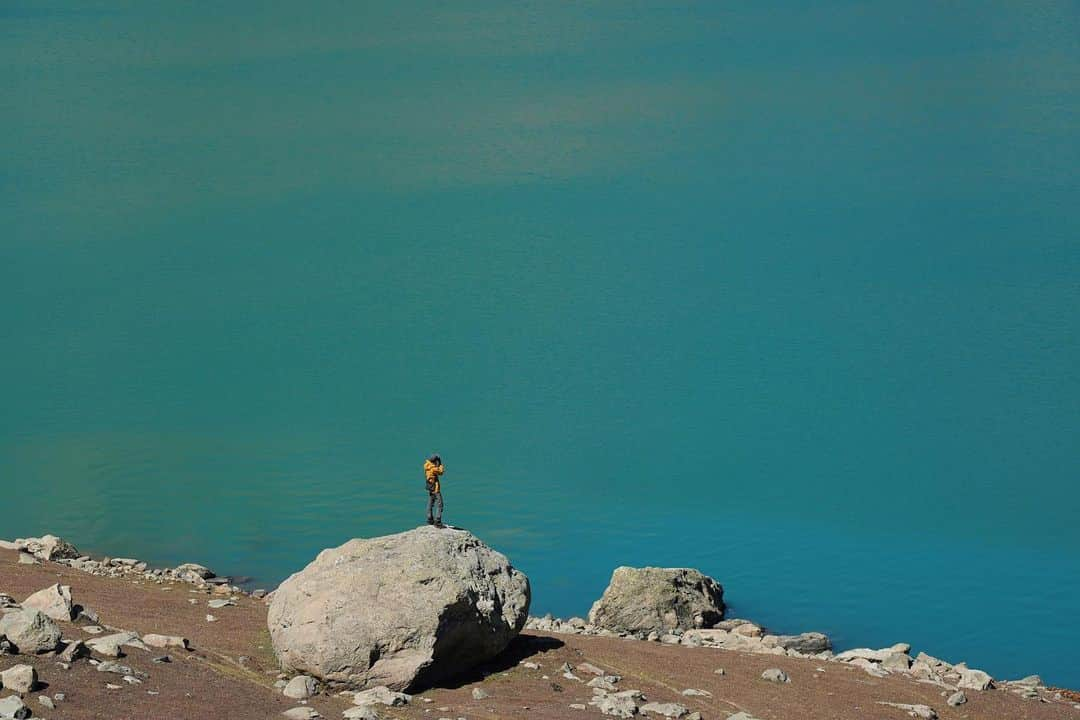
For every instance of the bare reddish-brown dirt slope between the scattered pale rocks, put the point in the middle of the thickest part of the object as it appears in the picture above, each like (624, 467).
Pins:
(231, 672)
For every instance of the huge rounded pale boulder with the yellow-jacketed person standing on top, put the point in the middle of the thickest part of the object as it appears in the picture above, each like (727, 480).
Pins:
(401, 610)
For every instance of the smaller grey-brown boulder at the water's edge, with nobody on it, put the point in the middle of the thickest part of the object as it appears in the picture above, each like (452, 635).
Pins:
(658, 600)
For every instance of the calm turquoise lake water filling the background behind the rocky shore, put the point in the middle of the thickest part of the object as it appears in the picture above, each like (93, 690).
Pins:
(790, 295)
